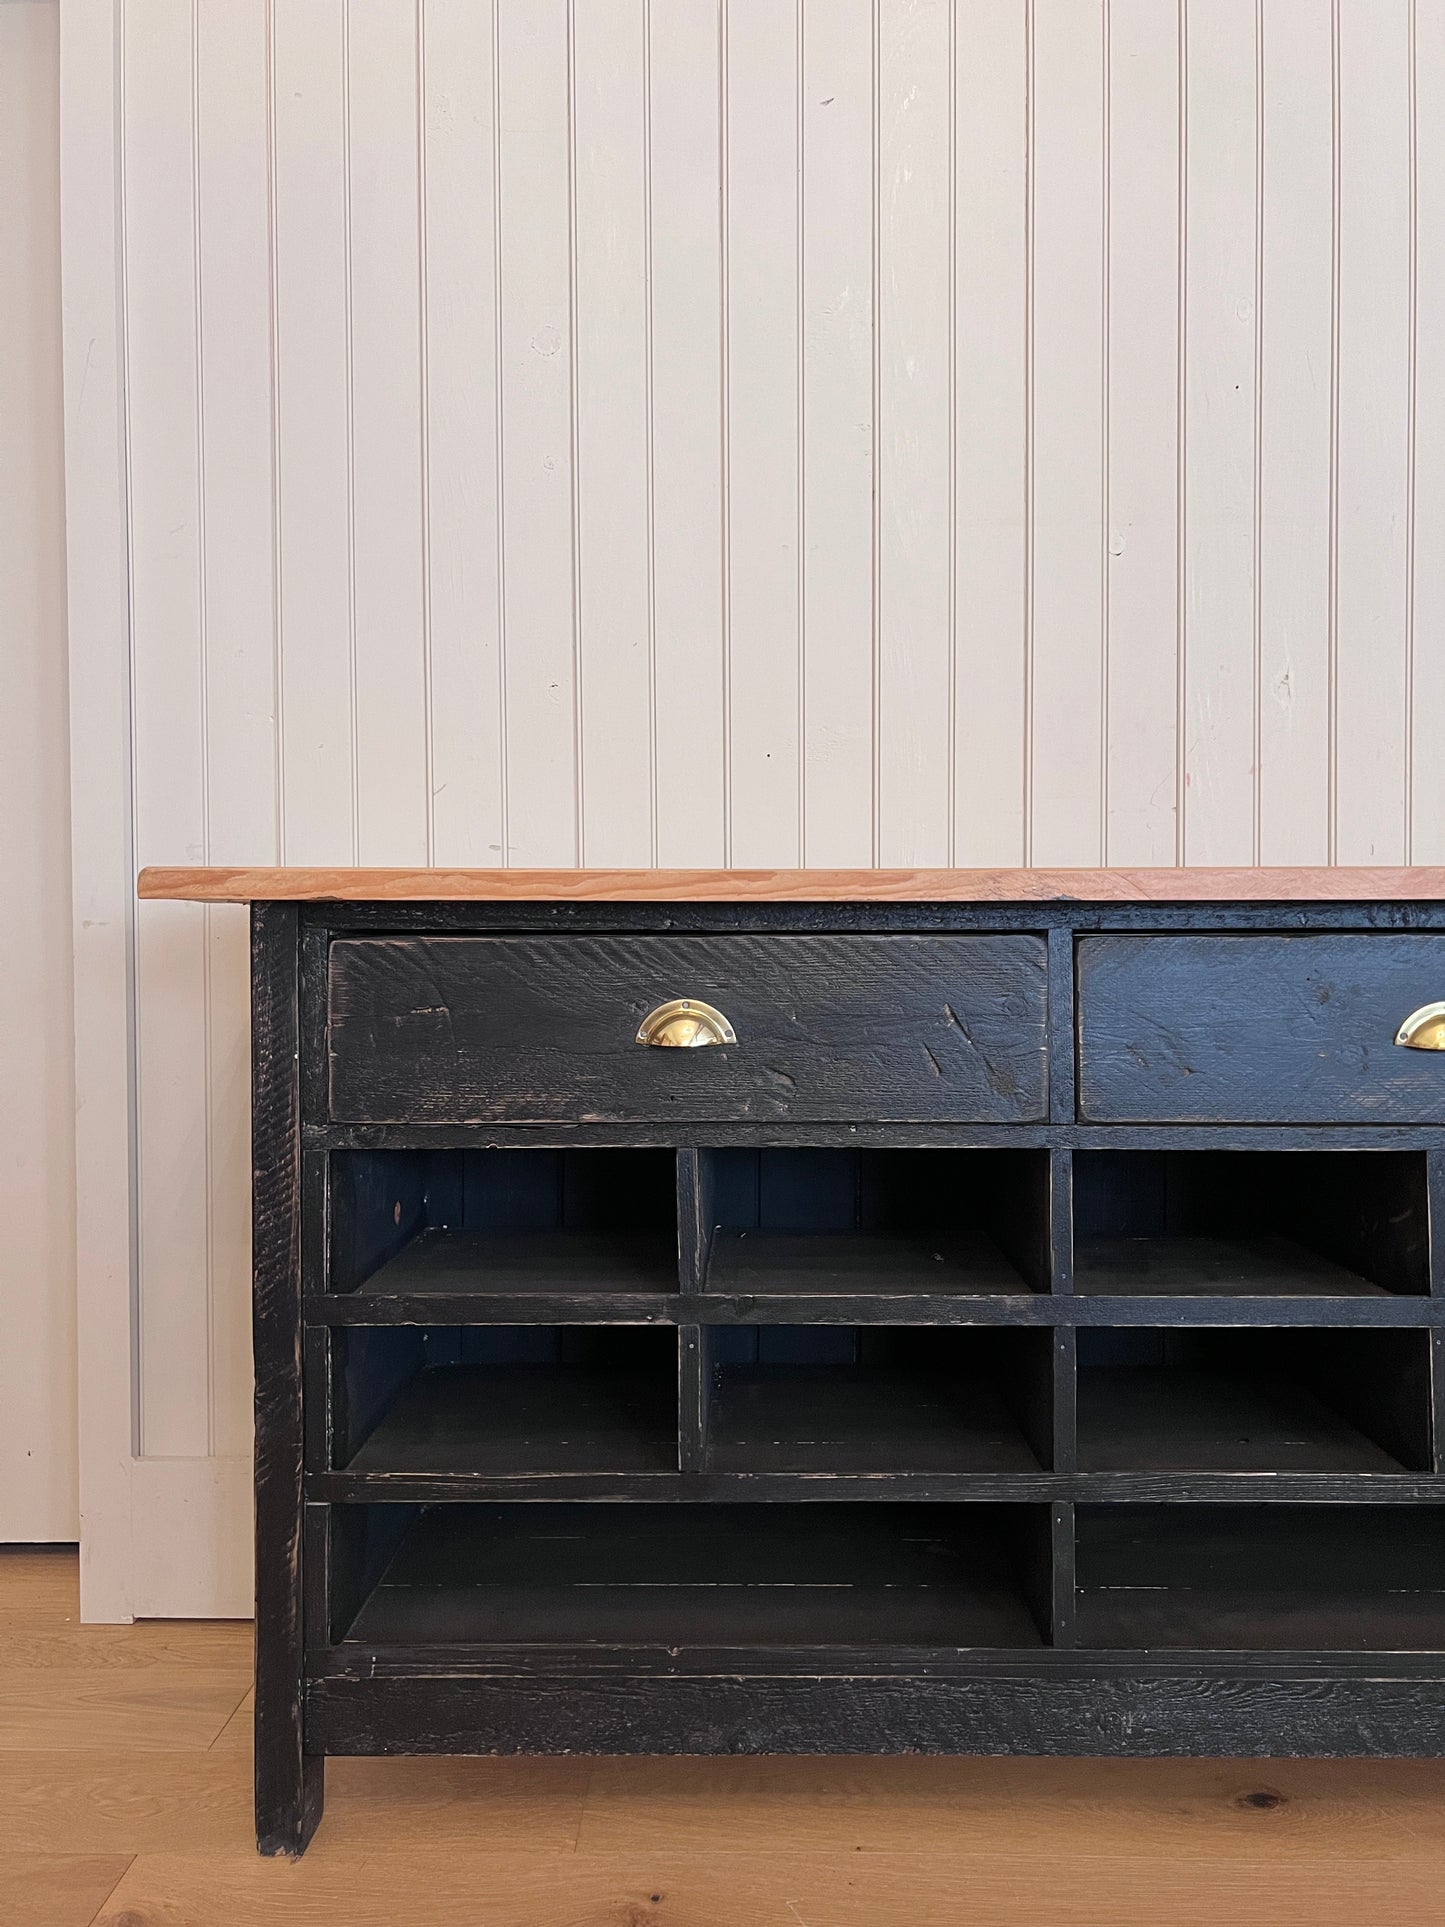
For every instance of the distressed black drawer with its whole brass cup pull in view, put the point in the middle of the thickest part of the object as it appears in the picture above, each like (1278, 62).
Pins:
(542, 1030)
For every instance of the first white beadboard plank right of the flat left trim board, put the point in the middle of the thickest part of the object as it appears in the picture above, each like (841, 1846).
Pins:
(163, 388)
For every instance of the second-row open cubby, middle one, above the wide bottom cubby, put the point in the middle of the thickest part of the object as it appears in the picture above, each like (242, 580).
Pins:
(862, 1400)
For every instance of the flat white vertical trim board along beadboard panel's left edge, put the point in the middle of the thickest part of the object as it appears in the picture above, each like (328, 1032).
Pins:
(101, 797)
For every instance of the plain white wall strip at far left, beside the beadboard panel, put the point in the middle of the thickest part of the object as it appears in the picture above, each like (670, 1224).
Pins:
(38, 1074)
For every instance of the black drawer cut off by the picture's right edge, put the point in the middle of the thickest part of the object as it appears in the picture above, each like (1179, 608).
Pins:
(1257, 1030)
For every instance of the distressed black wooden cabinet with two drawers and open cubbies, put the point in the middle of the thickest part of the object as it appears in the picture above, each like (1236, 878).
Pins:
(1024, 1338)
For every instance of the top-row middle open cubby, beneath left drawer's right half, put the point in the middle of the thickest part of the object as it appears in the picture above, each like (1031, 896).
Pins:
(806, 1221)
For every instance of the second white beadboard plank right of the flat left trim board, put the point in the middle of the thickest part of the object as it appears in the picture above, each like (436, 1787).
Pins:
(238, 548)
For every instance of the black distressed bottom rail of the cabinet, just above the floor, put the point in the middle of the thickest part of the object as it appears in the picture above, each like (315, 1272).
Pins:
(1188, 1712)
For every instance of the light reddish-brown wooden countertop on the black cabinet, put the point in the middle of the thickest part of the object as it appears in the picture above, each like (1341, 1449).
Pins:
(228, 885)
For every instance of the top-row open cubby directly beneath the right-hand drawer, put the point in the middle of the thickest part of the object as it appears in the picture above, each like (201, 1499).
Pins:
(1251, 1223)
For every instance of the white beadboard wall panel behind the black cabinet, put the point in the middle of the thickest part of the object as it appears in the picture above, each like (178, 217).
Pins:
(723, 433)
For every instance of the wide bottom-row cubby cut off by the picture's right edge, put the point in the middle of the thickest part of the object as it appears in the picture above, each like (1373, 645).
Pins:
(1261, 1577)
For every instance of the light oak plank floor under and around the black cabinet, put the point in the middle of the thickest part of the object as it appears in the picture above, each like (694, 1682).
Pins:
(126, 1803)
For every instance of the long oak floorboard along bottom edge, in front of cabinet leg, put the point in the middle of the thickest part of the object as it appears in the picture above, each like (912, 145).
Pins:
(741, 1887)
